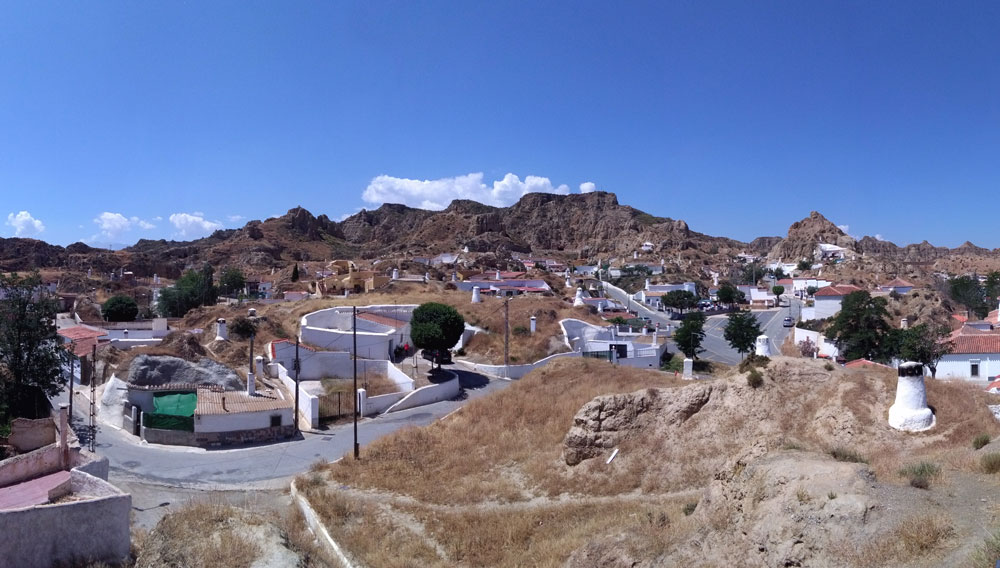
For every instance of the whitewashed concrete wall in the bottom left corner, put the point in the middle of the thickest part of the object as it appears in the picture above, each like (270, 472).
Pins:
(39, 537)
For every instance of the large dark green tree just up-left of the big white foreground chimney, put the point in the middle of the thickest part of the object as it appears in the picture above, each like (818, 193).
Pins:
(860, 327)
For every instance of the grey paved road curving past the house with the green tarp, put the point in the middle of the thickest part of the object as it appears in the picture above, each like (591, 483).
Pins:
(261, 465)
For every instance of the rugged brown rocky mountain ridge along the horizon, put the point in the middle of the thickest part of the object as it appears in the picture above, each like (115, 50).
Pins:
(578, 225)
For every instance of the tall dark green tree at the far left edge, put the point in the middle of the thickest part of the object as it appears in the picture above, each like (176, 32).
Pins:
(30, 349)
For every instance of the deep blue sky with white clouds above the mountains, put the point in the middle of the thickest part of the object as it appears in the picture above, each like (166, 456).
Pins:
(128, 120)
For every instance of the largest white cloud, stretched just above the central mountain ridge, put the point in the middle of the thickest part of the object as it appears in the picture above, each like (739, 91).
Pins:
(438, 193)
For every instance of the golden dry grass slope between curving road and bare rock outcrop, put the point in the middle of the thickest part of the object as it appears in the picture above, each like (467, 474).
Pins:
(520, 428)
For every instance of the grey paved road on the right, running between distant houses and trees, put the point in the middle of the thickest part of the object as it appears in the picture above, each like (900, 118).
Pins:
(716, 347)
